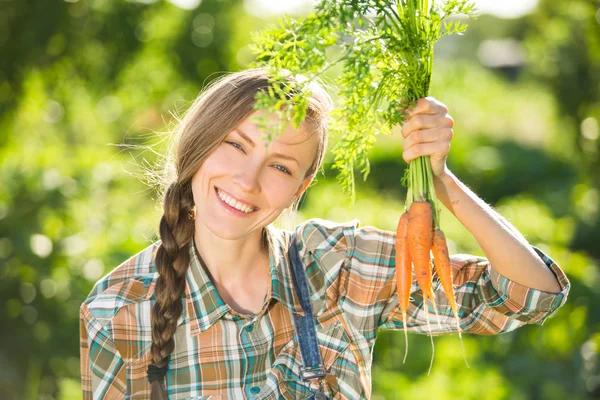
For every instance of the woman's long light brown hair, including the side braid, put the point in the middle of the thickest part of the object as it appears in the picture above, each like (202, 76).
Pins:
(213, 115)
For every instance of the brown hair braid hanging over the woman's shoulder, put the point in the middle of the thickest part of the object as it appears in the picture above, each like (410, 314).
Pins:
(172, 260)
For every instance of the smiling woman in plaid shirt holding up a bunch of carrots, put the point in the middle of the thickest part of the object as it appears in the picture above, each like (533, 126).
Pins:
(218, 309)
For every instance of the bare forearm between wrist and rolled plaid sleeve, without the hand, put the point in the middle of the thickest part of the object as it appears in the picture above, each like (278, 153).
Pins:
(504, 246)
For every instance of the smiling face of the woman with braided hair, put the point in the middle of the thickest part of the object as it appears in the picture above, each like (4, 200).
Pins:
(259, 181)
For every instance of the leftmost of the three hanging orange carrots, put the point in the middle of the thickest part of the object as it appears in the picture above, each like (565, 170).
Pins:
(403, 272)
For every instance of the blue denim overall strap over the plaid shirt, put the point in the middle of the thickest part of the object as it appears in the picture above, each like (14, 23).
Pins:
(305, 326)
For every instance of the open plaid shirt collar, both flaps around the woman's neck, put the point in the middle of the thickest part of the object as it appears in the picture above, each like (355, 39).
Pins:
(203, 304)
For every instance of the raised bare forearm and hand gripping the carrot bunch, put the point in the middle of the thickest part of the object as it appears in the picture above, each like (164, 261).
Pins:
(428, 132)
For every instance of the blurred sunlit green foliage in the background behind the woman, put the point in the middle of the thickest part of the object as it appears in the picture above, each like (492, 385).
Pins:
(78, 78)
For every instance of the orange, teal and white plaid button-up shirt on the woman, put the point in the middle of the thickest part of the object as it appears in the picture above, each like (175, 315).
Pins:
(221, 354)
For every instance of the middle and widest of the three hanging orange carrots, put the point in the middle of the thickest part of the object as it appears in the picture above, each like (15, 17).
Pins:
(420, 240)
